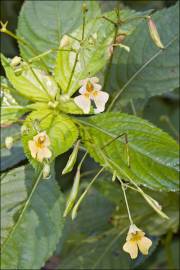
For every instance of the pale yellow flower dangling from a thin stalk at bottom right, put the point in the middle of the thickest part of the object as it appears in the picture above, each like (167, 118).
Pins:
(136, 239)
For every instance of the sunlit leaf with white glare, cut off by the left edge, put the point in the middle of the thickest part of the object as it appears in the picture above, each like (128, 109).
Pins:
(11, 110)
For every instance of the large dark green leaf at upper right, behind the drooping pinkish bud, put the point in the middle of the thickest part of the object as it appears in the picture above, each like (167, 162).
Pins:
(147, 70)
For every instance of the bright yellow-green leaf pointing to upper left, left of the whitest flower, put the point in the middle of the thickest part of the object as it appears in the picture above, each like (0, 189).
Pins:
(33, 83)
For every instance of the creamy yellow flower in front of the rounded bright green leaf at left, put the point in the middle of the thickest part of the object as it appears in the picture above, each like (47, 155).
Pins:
(39, 146)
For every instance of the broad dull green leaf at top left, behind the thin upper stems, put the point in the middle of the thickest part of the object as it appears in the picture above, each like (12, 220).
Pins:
(42, 26)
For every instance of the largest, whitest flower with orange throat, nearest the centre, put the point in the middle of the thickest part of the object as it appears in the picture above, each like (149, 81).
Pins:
(91, 90)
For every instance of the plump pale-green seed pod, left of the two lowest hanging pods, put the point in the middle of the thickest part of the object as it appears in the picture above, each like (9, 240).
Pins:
(73, 193)
